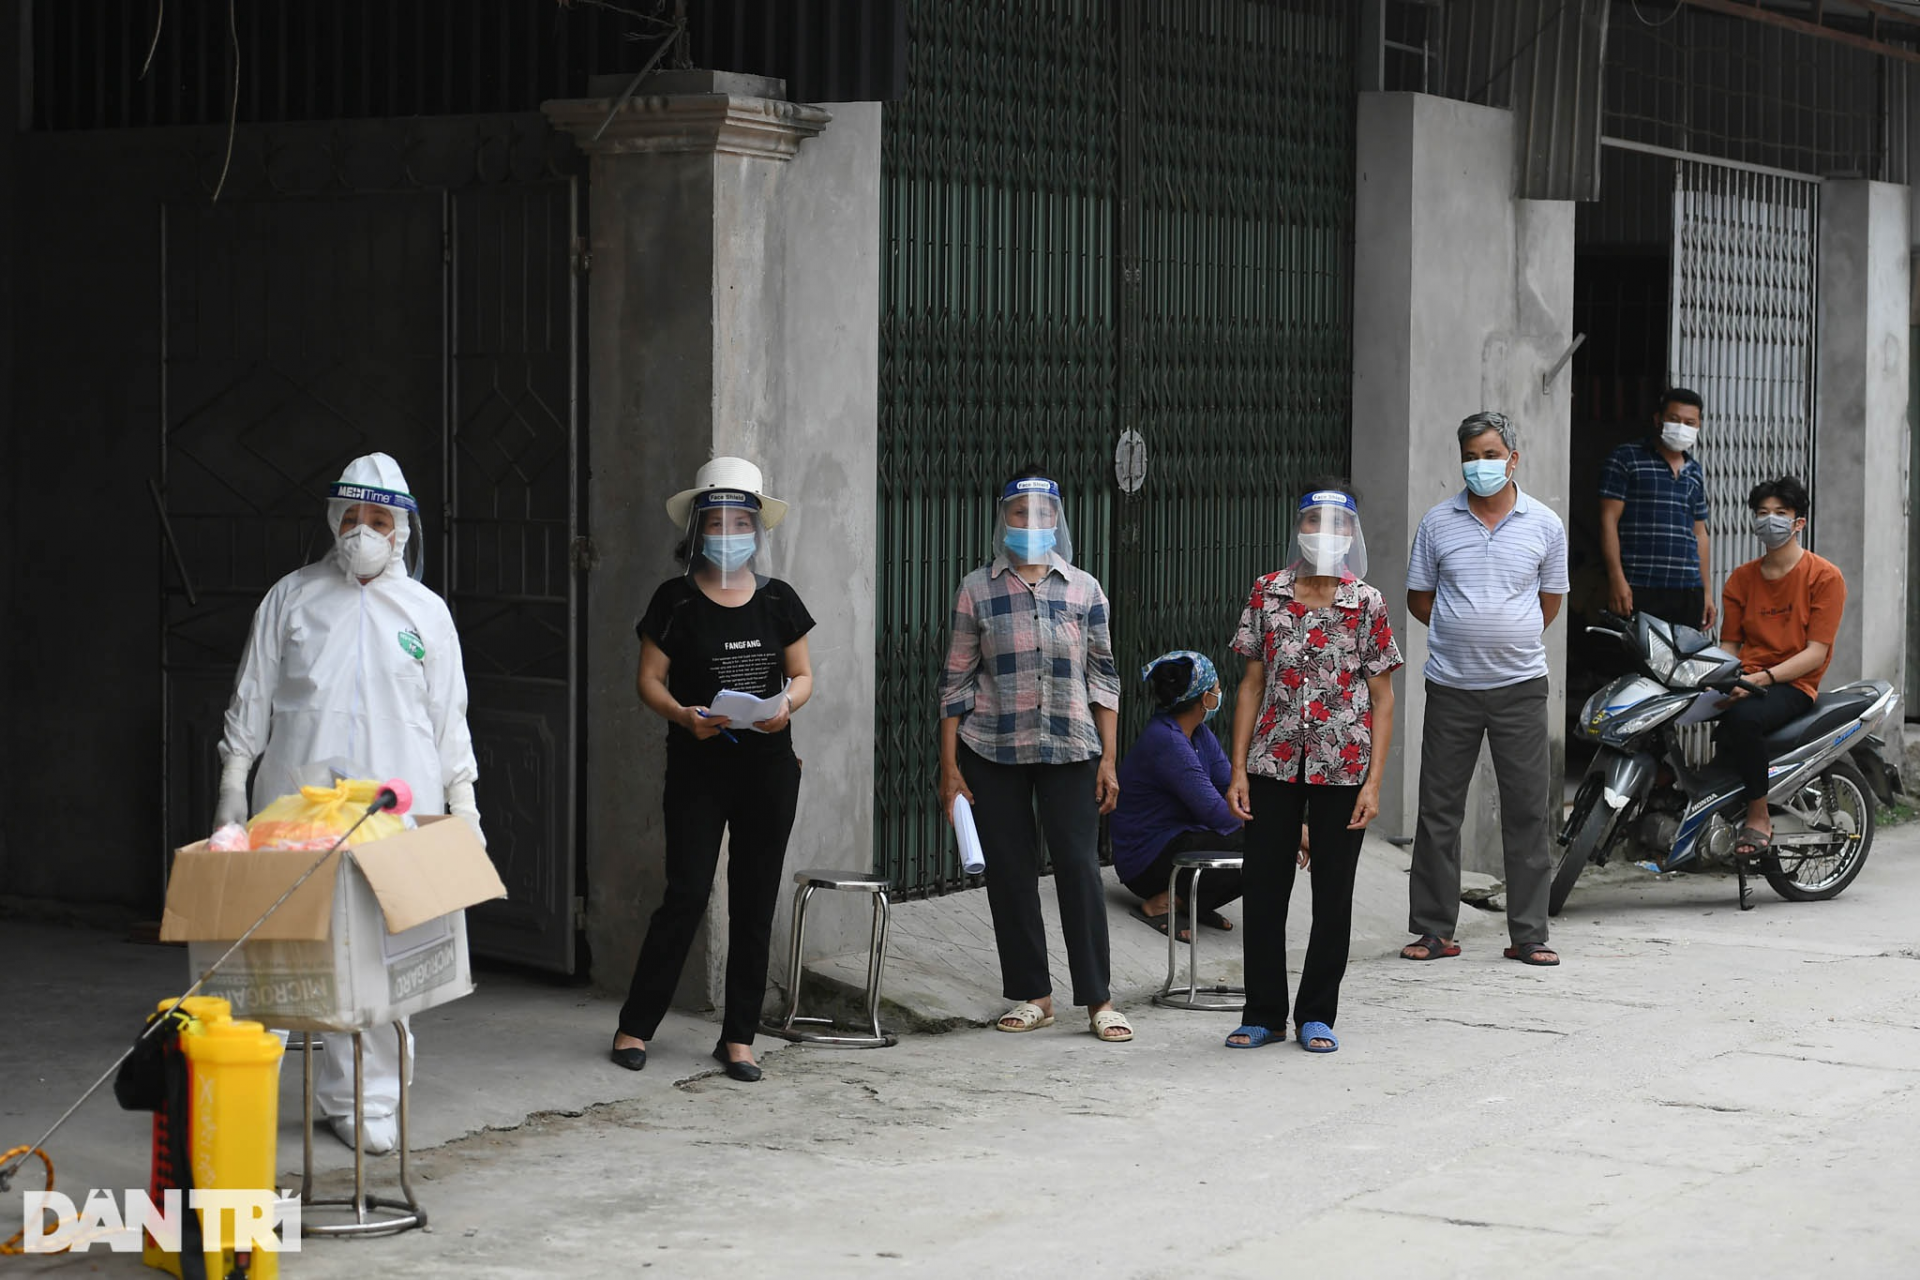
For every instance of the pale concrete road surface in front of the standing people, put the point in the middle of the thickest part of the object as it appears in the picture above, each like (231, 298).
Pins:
(1696, 1093)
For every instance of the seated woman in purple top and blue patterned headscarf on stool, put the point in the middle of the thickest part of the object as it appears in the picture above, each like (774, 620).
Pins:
(1172, 795)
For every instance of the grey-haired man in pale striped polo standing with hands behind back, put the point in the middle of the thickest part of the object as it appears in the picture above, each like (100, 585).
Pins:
(1487, 577)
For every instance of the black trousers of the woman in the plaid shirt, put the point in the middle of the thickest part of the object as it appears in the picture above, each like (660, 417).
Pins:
(1005, 799)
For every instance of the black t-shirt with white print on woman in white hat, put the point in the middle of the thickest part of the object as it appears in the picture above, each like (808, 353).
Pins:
(711, 648)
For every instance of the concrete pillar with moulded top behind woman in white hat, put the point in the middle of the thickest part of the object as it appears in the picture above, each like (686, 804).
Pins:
(734, 304)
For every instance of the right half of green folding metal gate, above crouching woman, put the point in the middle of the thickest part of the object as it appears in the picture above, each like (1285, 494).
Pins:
(1237, 316)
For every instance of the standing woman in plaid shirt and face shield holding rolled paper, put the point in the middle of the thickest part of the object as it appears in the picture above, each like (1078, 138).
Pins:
(1030, 707)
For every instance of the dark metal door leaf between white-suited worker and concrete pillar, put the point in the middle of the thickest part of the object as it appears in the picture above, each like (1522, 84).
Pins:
(514, 477)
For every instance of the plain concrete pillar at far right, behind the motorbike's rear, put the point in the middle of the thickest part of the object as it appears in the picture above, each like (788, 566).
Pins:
(1860, 485)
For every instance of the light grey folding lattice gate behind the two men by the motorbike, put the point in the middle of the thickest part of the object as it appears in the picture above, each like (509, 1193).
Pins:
(1744, 337)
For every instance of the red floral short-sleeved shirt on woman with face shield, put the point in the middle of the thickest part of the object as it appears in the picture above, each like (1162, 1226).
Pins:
(1316, 717)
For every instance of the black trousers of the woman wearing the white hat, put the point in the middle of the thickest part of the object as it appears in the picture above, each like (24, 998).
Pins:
(750, 799)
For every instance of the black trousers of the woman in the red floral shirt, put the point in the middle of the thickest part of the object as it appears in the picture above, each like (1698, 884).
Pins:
(1272, 847)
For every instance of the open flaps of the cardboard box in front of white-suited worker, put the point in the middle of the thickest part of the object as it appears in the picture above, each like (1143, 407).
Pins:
(416, 876)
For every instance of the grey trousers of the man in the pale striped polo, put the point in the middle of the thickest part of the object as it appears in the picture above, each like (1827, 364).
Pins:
(1514, 723)
